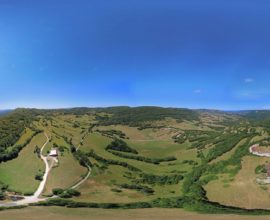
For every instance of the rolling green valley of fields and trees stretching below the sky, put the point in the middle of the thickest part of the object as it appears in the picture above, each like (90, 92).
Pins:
(123, 157)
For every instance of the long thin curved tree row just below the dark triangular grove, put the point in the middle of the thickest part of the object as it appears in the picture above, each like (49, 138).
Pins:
(144, 159)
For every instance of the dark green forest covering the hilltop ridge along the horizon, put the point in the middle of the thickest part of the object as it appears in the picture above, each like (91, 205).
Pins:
(132, 116)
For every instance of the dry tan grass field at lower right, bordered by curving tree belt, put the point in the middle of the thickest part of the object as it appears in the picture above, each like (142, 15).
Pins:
(243, 191)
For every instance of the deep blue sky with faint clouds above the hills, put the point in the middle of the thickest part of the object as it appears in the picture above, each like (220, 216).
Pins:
(178, 53)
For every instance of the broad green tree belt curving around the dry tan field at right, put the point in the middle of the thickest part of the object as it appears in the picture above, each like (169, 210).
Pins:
(193, 191)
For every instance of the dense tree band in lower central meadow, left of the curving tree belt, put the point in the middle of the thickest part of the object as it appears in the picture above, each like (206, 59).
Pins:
(158, 180)
